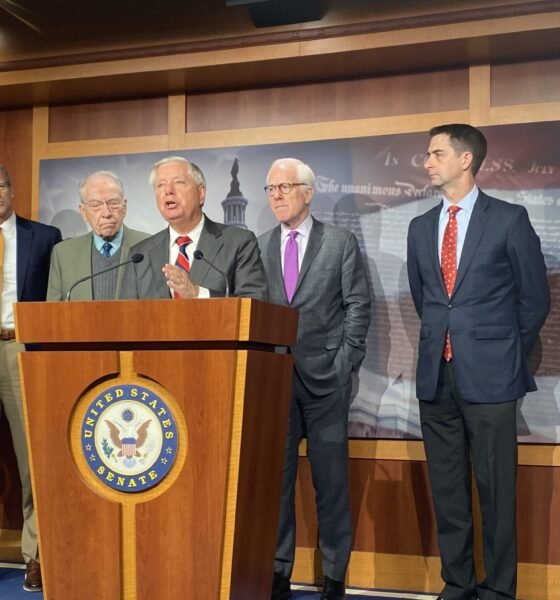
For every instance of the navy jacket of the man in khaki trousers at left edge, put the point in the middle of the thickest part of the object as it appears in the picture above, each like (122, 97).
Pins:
(35, 242)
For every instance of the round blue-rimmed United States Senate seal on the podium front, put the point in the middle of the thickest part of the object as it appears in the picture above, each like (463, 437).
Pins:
(129, 437)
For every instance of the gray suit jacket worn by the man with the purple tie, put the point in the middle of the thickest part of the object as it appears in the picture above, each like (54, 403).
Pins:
(333, 299)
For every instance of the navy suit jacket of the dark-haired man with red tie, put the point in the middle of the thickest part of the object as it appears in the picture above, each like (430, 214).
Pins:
(499, 302)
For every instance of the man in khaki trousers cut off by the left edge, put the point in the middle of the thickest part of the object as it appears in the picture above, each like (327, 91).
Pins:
(25, 252)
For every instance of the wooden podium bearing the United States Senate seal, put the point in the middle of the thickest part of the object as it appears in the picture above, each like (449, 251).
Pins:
(114, 526)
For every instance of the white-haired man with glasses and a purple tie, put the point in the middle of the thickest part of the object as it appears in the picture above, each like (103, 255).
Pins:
(317, 269)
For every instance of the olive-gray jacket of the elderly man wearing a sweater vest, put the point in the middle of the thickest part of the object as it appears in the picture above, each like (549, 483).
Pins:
(71, 260)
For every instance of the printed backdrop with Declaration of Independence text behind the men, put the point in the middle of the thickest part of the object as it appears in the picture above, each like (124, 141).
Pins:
(374, 186)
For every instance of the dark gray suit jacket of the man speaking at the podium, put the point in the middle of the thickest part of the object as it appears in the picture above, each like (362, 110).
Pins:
(232, 250)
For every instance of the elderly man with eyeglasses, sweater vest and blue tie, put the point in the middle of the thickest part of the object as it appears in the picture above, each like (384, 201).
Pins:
(103, 207)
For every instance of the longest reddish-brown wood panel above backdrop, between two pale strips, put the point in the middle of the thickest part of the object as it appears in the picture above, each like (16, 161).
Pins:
(333, 101)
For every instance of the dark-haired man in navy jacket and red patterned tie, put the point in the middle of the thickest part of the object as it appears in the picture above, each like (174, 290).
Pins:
(478, 280)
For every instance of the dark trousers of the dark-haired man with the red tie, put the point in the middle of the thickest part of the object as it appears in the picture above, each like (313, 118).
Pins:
(458, 434)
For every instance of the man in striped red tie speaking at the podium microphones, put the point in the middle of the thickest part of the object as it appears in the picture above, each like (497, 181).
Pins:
(169, 267)
